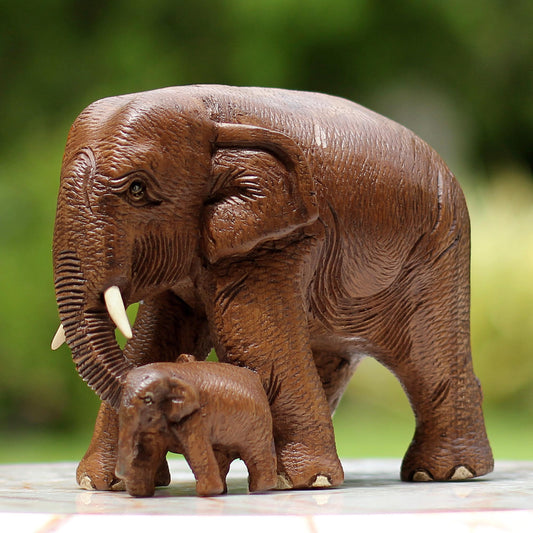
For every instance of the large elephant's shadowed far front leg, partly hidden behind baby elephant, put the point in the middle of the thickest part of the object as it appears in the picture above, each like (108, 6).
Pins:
(165, 327)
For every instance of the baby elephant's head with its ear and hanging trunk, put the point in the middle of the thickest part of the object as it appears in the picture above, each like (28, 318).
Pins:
(152, 401)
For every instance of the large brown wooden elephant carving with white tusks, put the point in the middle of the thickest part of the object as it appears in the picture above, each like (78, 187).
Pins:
(296, 233)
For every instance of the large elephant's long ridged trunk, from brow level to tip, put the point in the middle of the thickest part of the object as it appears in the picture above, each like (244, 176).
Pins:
(80, 251)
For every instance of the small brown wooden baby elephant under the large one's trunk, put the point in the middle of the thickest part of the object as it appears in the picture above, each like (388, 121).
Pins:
(212, 413)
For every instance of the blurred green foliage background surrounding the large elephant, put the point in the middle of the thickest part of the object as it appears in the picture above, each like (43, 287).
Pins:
(459, 74)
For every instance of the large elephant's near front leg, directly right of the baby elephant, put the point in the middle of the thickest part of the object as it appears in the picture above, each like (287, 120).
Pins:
(261, 324)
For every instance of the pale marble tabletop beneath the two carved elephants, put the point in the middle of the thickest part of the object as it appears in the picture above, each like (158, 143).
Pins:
(45, 498)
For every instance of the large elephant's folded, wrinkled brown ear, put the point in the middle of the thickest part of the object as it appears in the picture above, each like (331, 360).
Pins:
(262, 190)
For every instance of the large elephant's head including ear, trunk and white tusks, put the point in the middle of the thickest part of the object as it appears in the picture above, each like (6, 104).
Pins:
(152, 190)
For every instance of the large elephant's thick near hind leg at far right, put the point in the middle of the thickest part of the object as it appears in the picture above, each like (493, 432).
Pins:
(432, 359)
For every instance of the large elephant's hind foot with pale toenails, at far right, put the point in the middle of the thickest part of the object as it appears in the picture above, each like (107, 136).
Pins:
(453, 462)
